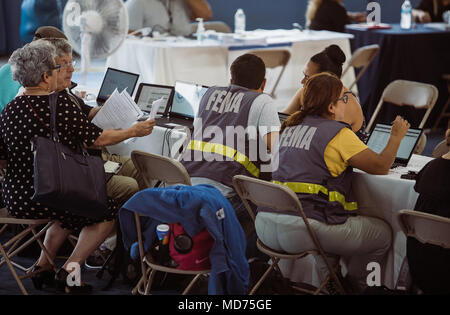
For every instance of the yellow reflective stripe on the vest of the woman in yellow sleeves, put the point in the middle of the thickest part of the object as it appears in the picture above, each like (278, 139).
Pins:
(307, 188)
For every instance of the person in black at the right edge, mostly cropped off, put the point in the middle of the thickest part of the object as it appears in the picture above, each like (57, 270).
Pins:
(429, 264)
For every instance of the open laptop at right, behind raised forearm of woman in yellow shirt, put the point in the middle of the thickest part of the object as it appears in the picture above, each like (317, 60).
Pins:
(379, 138)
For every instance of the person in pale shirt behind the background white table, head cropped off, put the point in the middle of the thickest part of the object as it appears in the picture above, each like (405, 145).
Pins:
(167, 16)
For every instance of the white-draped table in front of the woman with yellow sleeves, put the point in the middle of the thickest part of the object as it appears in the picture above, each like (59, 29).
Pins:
(381, 196)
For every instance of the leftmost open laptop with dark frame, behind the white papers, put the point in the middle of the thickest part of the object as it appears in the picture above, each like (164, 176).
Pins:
(116, 79)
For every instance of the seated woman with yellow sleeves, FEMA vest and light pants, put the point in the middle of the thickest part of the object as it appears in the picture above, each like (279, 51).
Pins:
(316, 156)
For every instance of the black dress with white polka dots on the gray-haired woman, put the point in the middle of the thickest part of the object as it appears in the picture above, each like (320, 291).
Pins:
(19, 124)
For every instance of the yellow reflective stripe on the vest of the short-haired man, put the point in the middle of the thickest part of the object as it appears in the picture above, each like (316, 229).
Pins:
(227, 152)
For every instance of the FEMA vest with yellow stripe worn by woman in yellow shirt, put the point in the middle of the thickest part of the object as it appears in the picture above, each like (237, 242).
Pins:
(302, 168)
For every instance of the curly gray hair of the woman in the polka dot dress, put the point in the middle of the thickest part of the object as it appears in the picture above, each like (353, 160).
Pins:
(30, 62)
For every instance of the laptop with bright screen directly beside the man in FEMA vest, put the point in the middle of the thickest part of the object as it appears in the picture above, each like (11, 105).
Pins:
(184, 106)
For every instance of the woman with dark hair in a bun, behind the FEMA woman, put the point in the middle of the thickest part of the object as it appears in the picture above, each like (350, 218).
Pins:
(331, 60)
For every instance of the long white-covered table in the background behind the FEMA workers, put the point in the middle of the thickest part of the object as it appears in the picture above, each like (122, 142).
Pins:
(165, 61)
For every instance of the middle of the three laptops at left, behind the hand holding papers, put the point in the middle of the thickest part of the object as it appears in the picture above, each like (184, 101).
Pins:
(148, 93)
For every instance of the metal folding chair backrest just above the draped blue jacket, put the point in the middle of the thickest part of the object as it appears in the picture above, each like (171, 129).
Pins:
(155, 167)
